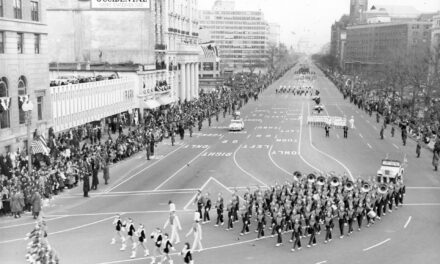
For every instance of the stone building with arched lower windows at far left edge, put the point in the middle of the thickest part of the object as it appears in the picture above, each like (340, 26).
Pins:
(24, 71)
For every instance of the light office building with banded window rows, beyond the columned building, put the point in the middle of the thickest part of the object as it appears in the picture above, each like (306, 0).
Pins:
(242, 36)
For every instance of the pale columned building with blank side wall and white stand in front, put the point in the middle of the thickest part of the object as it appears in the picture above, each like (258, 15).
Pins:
(152, 50)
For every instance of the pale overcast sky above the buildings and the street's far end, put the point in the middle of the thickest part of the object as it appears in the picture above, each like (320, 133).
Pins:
(311, 19)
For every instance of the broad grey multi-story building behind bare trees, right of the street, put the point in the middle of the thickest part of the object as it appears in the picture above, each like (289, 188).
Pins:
(373, 44)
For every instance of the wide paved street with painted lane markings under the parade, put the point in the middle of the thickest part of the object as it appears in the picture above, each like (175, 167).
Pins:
(276, 141)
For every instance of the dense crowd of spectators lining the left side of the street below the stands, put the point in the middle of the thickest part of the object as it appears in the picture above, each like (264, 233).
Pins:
(86, 150)
